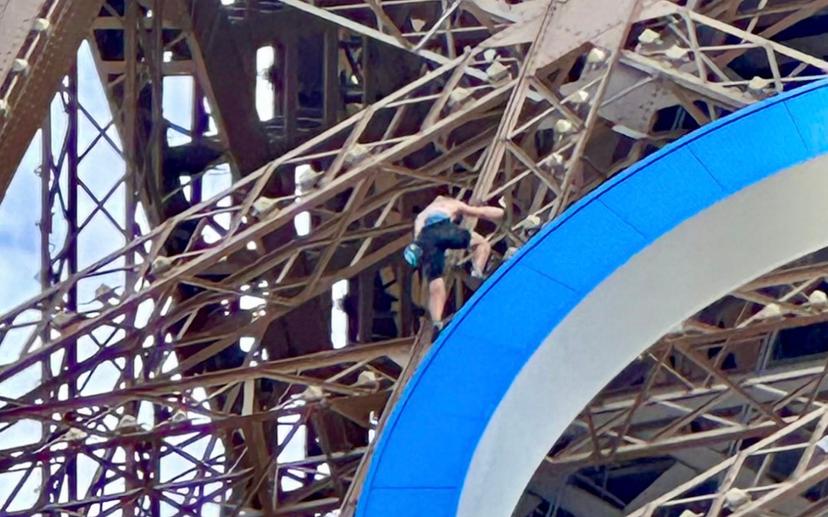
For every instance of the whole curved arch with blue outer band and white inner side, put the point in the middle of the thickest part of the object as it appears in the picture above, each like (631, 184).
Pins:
(592, 291)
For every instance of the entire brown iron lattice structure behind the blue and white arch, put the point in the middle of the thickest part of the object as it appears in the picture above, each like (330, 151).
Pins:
(386, 103)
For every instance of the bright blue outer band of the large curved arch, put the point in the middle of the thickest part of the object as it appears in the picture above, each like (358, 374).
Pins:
(421, 459)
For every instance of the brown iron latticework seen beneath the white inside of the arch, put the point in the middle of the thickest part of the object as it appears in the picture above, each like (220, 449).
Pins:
(704, 392)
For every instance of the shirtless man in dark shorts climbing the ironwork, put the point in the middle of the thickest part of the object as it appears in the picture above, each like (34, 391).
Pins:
(435, 231)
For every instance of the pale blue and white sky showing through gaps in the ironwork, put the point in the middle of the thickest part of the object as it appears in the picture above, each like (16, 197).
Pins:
(101, 169)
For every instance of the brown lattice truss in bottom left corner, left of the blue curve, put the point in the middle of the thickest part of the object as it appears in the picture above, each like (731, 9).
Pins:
(100, 434)
